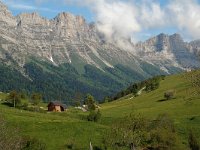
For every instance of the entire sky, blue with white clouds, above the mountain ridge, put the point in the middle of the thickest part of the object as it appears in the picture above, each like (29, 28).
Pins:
(139, 19)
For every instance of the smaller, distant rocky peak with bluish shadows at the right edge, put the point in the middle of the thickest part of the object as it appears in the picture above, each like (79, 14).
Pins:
(164, 51)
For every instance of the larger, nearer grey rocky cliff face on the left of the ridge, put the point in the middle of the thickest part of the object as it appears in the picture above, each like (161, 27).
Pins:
(58, 41)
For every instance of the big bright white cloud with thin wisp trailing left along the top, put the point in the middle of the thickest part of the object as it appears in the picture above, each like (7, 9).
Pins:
(116, 19)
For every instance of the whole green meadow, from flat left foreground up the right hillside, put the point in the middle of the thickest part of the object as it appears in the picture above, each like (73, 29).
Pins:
(59, 129)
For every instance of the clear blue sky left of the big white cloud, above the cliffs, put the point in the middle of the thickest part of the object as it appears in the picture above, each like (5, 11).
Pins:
(48, 9)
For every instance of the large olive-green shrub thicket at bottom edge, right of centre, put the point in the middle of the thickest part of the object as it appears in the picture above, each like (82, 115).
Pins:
(137, 132)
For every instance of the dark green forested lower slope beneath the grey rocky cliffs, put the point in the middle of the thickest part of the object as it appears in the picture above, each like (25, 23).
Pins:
(64, 81)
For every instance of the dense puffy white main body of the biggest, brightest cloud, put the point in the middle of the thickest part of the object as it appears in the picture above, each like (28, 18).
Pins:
(116, 19)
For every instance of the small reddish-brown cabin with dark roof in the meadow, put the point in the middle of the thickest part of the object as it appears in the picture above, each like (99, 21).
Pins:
(56, 106)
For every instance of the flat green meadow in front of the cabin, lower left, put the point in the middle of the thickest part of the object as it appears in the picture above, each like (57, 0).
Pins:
(55, 129)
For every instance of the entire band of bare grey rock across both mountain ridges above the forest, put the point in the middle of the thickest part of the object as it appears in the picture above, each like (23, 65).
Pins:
(70, 39)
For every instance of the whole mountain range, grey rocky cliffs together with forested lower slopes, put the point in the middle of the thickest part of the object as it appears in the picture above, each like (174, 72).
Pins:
(63, 56)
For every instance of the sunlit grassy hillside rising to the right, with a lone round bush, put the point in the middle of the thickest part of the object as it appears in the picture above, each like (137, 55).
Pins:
(151, 104)
